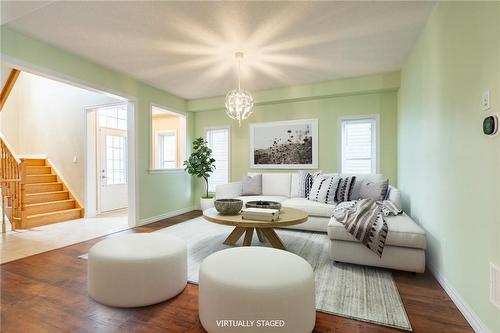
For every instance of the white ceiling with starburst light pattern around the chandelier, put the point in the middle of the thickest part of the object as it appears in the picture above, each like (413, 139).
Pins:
(187, 48)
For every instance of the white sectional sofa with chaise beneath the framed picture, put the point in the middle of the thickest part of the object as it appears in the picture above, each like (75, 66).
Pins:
(405, 245)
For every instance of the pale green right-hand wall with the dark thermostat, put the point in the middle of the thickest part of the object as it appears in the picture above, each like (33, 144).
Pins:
(448, 171)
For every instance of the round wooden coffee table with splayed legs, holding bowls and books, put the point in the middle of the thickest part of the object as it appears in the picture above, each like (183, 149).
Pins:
(264, 229)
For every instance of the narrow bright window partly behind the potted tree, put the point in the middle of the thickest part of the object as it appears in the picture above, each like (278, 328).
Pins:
(218, 141)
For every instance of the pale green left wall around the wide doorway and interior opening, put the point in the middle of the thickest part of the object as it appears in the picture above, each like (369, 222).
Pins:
(157, 193)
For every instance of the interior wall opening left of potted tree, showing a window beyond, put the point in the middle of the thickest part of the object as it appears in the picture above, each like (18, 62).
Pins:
(168, 139)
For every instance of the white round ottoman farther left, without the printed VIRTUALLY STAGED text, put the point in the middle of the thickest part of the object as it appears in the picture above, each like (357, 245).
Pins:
(137, 270)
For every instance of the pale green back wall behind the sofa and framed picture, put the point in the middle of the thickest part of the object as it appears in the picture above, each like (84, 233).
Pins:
(327, 101)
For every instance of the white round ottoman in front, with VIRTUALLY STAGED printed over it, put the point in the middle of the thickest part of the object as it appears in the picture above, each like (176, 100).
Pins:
(256, 289)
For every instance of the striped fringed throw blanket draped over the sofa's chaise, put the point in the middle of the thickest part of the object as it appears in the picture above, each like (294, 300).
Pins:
(364, 219)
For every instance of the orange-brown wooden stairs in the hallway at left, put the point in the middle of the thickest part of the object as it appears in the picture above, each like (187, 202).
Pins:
(46, 198)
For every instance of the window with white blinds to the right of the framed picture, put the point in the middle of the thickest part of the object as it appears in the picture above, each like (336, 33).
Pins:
(359, 145)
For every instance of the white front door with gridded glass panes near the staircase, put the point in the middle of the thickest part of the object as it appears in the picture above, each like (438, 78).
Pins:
(112, 169)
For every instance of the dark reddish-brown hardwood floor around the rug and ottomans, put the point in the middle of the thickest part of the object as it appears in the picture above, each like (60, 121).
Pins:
(48, 293)
